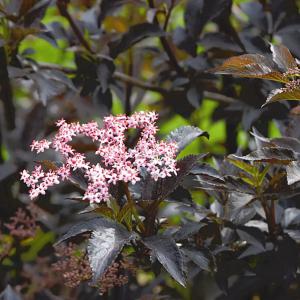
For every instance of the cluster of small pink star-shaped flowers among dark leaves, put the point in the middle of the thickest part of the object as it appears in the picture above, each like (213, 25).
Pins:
(116, 161)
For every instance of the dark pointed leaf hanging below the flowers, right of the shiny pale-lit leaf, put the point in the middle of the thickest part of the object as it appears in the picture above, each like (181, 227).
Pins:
(167, 252)
